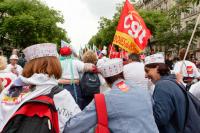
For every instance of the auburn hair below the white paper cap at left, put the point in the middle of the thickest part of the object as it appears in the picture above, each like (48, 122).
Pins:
(47, 65)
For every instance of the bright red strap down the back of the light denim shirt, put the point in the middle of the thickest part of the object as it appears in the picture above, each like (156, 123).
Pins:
(102, 124)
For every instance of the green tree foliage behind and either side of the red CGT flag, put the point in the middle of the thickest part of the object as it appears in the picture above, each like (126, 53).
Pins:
(166, 27)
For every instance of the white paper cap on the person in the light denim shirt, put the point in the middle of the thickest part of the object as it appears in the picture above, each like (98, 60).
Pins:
(111, 67)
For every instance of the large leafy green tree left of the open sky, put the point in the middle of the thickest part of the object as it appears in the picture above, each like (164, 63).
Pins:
(27, 22)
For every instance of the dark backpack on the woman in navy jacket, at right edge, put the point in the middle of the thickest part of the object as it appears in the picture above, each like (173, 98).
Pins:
(192, 119)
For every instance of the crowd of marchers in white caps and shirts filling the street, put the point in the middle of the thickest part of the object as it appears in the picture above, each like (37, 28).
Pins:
(141, 96)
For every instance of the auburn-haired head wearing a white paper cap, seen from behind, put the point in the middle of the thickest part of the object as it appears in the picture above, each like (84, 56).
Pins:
(42, 58)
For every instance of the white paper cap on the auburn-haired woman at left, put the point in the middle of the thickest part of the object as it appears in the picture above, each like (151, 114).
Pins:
(40, 50)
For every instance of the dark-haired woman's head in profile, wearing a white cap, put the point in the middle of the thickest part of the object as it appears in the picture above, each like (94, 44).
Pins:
(155, 67)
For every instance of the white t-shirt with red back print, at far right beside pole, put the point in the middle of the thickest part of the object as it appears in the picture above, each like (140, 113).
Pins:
(189, 69)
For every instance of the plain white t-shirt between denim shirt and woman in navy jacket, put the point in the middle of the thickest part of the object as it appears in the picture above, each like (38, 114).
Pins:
(135, 72)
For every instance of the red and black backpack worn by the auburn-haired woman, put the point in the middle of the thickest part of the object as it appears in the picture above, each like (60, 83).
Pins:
(37, 115)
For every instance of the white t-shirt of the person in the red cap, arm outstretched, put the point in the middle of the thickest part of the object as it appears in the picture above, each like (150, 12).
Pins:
(77, 67)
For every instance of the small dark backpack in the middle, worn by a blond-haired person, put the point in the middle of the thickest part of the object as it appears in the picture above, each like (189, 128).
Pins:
(90, 84)
